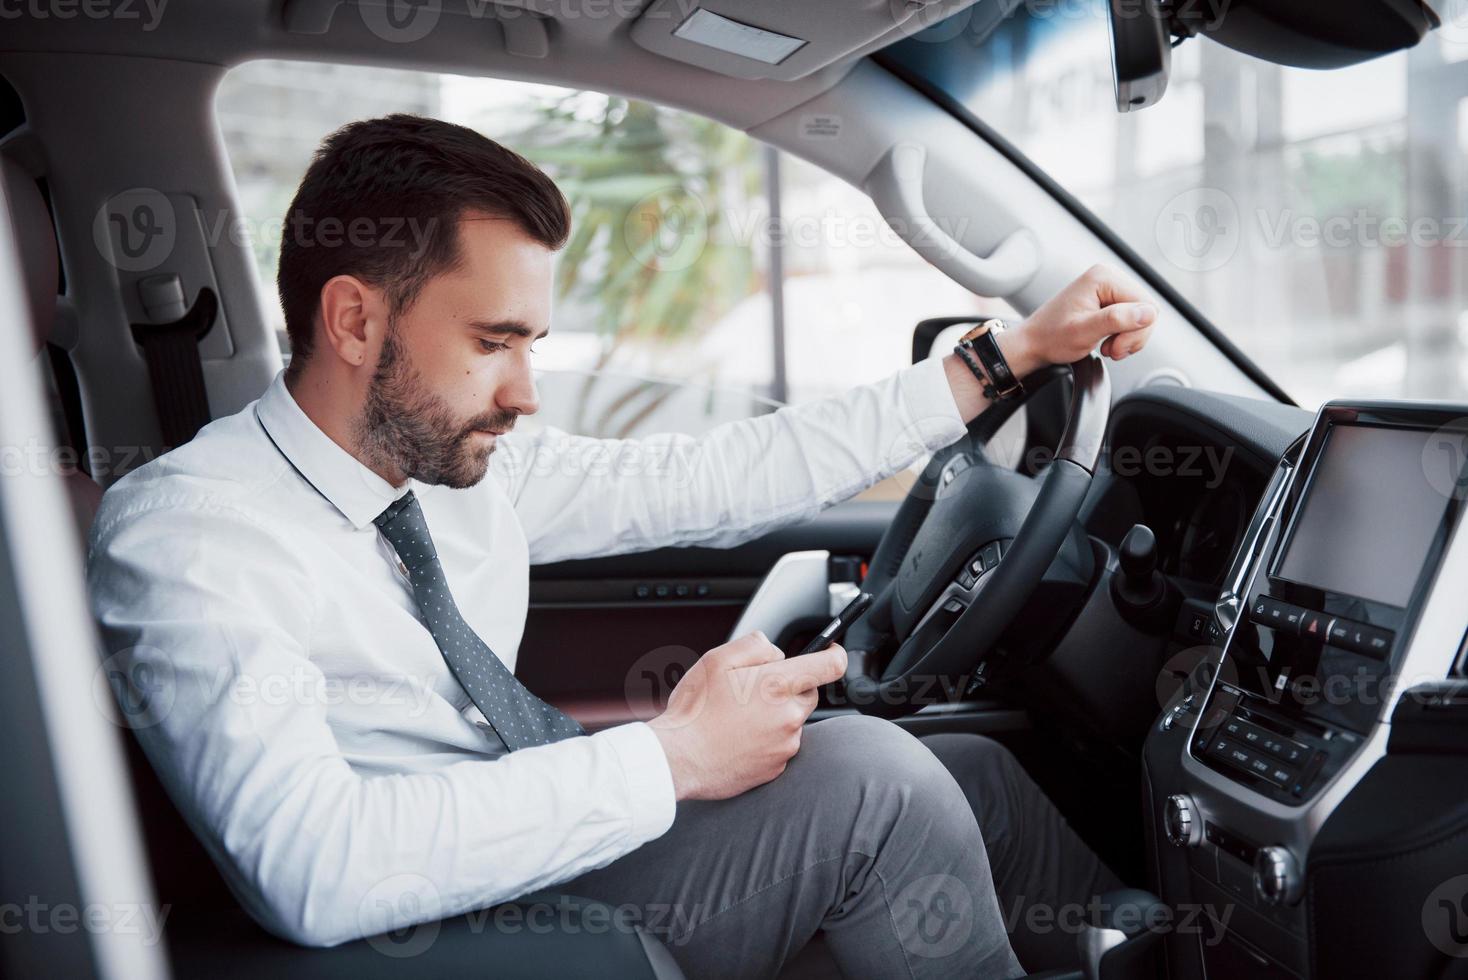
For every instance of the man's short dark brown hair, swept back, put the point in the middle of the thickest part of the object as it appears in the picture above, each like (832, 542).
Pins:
(382, 202)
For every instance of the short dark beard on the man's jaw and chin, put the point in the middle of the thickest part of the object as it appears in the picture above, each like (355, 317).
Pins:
(409, 429)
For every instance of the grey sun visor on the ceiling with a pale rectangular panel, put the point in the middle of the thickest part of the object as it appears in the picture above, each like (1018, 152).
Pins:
(779, 39)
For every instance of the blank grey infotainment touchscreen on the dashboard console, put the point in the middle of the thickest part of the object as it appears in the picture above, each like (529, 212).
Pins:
(1369, 516)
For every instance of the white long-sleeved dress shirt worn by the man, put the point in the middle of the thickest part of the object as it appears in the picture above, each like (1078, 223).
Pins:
(297, 708)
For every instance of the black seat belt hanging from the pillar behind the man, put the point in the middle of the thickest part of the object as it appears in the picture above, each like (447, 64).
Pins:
(171, 350)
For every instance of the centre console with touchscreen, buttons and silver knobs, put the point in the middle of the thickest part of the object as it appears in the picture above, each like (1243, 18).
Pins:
(1351, 589)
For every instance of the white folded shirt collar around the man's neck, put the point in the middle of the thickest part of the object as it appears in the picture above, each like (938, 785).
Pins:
(337, 475)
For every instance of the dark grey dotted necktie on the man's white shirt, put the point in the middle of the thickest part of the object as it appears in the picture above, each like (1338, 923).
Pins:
(517, 717)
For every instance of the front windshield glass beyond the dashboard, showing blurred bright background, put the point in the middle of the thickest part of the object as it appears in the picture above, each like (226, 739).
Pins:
(1316, 218)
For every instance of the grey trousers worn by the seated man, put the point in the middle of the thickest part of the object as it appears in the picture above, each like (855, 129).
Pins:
(901, 857)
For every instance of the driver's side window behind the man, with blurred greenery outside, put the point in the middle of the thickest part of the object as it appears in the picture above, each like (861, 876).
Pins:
(708, 277)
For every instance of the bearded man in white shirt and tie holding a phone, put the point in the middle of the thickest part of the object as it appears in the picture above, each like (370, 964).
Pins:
(322, 598)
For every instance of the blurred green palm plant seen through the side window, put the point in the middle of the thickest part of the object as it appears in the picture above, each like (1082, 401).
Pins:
(653, 249)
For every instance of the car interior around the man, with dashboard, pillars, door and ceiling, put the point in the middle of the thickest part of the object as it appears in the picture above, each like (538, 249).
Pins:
(1225, 632)
